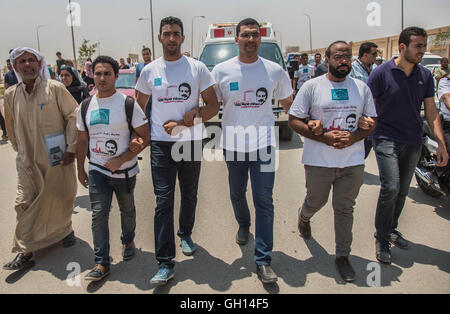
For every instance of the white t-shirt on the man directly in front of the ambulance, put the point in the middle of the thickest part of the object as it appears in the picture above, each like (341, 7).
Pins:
(246, 91)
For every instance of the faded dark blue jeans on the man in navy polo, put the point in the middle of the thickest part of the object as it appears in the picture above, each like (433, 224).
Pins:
(396, 164)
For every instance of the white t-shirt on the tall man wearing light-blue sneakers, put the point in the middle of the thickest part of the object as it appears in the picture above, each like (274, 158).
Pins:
(175, 87)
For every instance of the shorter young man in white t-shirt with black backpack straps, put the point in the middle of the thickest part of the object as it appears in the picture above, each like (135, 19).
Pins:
(104, 130)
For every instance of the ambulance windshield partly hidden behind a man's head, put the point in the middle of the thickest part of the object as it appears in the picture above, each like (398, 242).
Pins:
(214, 54)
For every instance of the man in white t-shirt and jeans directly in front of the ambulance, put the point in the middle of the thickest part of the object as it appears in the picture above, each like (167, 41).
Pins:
(246, 85)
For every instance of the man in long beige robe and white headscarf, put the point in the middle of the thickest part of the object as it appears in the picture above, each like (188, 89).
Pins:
(40, 117)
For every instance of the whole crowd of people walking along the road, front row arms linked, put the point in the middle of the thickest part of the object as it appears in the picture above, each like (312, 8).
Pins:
(334, 110)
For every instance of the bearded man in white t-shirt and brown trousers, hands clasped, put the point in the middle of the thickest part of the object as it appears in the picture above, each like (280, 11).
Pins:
(334, 159)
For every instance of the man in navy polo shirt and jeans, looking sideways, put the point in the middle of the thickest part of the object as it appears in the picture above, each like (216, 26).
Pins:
(399, 88)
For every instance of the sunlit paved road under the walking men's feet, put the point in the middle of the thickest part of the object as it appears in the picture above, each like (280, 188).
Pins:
(220, 265)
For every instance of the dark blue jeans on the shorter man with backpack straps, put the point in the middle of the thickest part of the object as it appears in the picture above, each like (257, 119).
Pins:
(101, 189)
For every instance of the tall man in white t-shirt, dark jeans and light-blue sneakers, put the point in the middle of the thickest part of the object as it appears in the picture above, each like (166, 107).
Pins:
(173, 107)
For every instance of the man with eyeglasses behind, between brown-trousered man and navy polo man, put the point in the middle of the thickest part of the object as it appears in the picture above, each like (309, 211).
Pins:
(361, 69)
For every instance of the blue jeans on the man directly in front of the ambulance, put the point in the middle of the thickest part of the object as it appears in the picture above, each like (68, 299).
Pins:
(262, 188)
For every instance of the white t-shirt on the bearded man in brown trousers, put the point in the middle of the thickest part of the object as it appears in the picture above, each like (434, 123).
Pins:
(339, 106)
